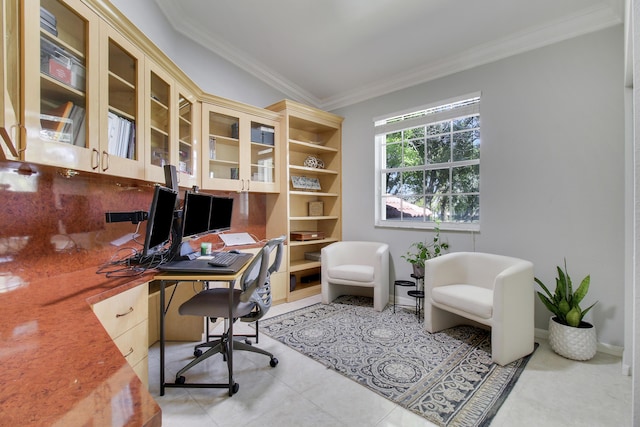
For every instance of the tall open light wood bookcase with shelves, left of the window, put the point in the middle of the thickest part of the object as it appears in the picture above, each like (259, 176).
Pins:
(312, 139)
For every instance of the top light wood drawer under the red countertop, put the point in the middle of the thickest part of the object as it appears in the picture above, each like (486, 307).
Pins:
(123, 311)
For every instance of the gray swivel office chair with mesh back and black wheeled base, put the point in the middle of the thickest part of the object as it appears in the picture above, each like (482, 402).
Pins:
(249, 304)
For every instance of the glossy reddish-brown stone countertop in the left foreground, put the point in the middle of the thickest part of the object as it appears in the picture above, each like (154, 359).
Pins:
(57, 363)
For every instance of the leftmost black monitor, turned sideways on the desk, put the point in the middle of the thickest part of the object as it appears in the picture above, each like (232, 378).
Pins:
(160, 220)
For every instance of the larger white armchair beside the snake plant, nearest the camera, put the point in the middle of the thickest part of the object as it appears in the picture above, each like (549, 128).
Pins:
(493, 290)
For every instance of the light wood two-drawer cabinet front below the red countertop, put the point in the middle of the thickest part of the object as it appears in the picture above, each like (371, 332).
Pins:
(125, 318)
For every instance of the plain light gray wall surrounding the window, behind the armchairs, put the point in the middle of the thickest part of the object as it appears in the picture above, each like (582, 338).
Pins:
(551, 173)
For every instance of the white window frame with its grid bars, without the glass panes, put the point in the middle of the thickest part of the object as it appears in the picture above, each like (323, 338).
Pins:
(411, 118)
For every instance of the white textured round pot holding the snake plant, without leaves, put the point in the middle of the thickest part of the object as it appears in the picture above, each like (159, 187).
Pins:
(573, 343)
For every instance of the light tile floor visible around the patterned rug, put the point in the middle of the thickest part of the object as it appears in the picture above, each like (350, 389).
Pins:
(552, 391)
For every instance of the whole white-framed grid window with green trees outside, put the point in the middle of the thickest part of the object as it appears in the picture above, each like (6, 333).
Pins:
(428, 166)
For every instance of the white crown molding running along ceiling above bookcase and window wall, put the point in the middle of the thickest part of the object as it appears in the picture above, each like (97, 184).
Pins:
(586, 21)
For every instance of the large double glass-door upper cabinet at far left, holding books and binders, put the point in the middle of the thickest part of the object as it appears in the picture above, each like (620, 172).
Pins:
(81, 84)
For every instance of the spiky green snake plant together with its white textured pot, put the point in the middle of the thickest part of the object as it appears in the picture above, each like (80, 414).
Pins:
(569, 335)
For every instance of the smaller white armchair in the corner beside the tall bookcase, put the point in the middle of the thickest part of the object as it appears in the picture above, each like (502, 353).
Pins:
(356, 268)
